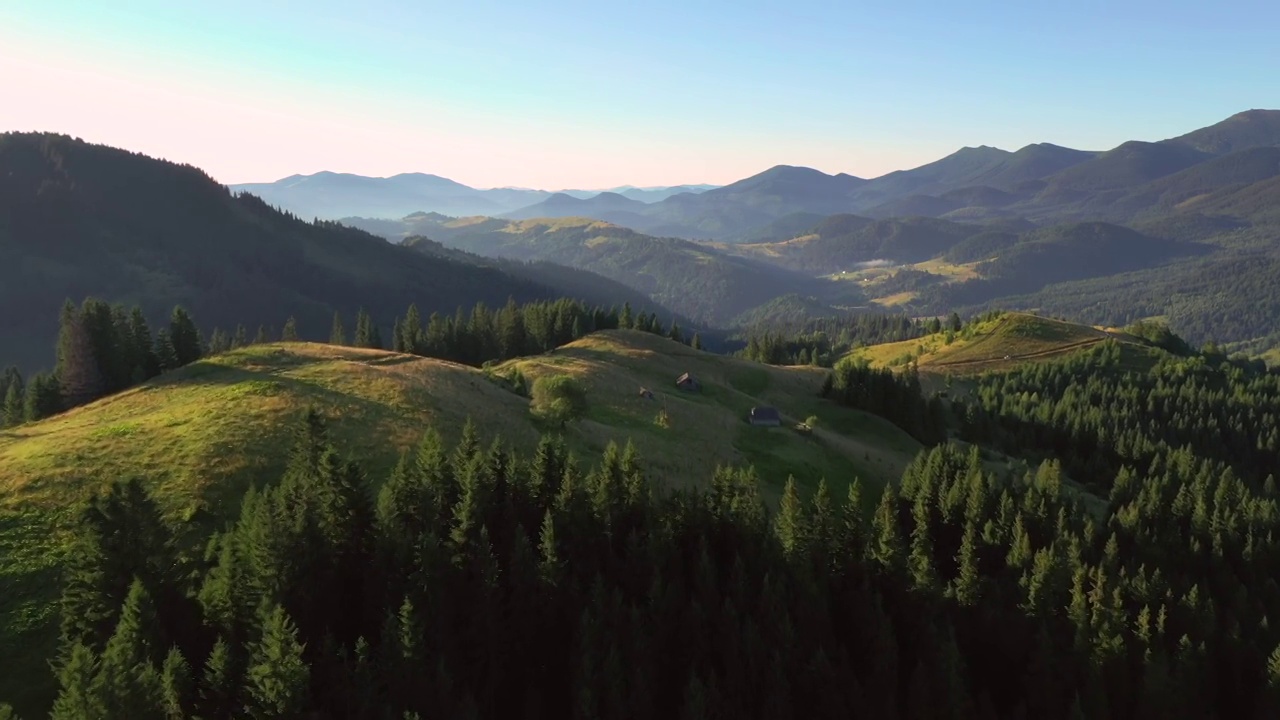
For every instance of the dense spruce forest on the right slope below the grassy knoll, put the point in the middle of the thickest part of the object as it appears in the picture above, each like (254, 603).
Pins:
(1098, 414)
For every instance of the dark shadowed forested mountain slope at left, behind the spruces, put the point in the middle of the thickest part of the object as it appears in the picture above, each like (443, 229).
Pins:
(79, 220)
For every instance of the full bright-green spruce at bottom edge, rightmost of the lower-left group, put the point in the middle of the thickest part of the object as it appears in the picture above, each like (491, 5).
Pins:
(278, 678)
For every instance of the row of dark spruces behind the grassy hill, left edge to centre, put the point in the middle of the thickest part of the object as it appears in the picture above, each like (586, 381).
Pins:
(106, 349)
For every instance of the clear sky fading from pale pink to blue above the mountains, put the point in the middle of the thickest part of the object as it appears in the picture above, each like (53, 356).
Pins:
(595, 95)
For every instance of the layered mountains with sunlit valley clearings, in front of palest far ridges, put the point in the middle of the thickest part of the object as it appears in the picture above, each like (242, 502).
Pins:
(1144, 230)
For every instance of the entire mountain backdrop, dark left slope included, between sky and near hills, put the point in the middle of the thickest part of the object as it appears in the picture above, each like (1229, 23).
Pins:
(1183, 229)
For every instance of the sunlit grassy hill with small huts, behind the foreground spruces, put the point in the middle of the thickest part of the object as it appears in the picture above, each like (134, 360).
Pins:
(200, 436)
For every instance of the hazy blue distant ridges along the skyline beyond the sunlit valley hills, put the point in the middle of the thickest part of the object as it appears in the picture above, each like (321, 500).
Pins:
(1041, 183)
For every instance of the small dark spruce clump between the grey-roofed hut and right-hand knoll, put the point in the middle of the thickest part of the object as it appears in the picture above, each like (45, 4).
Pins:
(894, 397)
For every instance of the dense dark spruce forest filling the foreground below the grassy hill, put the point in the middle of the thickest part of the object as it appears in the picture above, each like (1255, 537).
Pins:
(484, 585)
